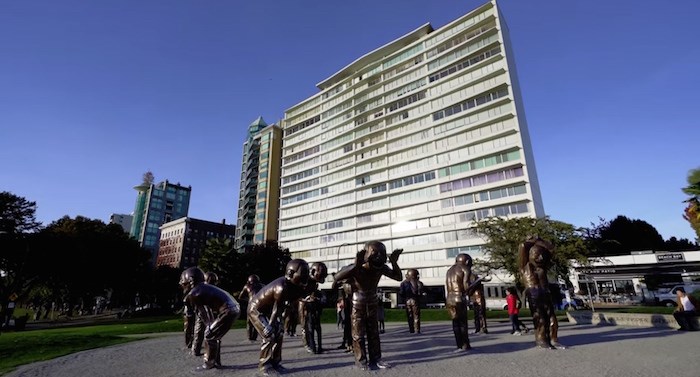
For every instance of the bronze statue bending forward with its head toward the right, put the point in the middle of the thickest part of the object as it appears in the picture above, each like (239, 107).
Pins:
(265, 312)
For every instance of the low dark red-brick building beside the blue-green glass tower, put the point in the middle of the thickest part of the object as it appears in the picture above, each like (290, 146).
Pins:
(182, 241)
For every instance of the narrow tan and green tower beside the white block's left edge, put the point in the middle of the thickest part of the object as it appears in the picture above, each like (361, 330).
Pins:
(258, 200)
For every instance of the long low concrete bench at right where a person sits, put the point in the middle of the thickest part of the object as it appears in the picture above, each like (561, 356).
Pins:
(585, 317)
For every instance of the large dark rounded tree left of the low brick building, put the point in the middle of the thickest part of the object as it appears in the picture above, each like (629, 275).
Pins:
(83, 258)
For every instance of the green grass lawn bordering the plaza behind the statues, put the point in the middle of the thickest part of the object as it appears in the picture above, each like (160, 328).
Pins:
(24, 347)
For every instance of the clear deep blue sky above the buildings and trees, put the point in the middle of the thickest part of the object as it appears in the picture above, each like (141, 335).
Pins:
(95, 93)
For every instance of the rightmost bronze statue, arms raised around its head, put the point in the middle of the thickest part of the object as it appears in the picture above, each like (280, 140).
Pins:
(535, 256)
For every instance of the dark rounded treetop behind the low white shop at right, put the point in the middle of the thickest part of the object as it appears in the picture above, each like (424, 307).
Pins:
(622, 235)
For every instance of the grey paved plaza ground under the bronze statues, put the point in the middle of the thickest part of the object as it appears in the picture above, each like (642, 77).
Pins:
(593, 351)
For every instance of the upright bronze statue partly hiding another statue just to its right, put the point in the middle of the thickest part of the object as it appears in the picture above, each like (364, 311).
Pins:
(458, 291)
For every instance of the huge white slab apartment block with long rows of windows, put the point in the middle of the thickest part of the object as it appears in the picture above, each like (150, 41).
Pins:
(410, 144)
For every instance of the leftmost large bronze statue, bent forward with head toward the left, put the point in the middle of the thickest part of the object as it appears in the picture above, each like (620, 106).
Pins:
(217, 308)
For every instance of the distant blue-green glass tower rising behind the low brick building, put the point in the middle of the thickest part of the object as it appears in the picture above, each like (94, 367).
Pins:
(157, 204)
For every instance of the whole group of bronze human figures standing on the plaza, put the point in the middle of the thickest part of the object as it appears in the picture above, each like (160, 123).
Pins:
(210, 311)
